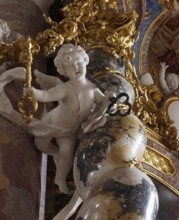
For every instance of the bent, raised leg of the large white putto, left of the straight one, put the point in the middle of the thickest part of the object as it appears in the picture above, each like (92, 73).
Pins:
(45, 145)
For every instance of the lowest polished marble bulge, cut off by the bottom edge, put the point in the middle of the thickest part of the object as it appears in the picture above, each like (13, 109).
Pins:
(127, 194)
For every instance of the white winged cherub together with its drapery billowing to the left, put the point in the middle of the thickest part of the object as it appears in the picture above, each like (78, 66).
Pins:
(56, 132)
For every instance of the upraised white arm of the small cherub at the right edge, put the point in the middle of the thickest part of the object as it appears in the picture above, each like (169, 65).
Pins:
(162, 82)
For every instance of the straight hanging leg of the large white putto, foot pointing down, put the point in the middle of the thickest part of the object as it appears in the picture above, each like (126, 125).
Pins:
(64, 161)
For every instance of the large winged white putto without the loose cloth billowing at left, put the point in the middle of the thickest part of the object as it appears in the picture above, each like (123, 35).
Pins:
(76, 99)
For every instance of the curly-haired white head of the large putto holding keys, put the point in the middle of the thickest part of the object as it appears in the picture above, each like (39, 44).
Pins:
(71, 59)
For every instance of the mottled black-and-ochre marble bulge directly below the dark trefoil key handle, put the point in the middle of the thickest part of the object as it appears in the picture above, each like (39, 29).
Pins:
(119, 142)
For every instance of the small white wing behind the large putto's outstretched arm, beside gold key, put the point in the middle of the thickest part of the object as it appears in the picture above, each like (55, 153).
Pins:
(45, 81)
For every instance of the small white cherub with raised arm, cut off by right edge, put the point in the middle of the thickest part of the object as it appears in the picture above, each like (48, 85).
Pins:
(169, 83)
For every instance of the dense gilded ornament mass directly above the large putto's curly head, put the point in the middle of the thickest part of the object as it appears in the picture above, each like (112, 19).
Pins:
(111, 31)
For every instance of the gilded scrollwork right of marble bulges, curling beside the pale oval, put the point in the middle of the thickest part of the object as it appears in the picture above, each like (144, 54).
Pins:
(150, 110)
